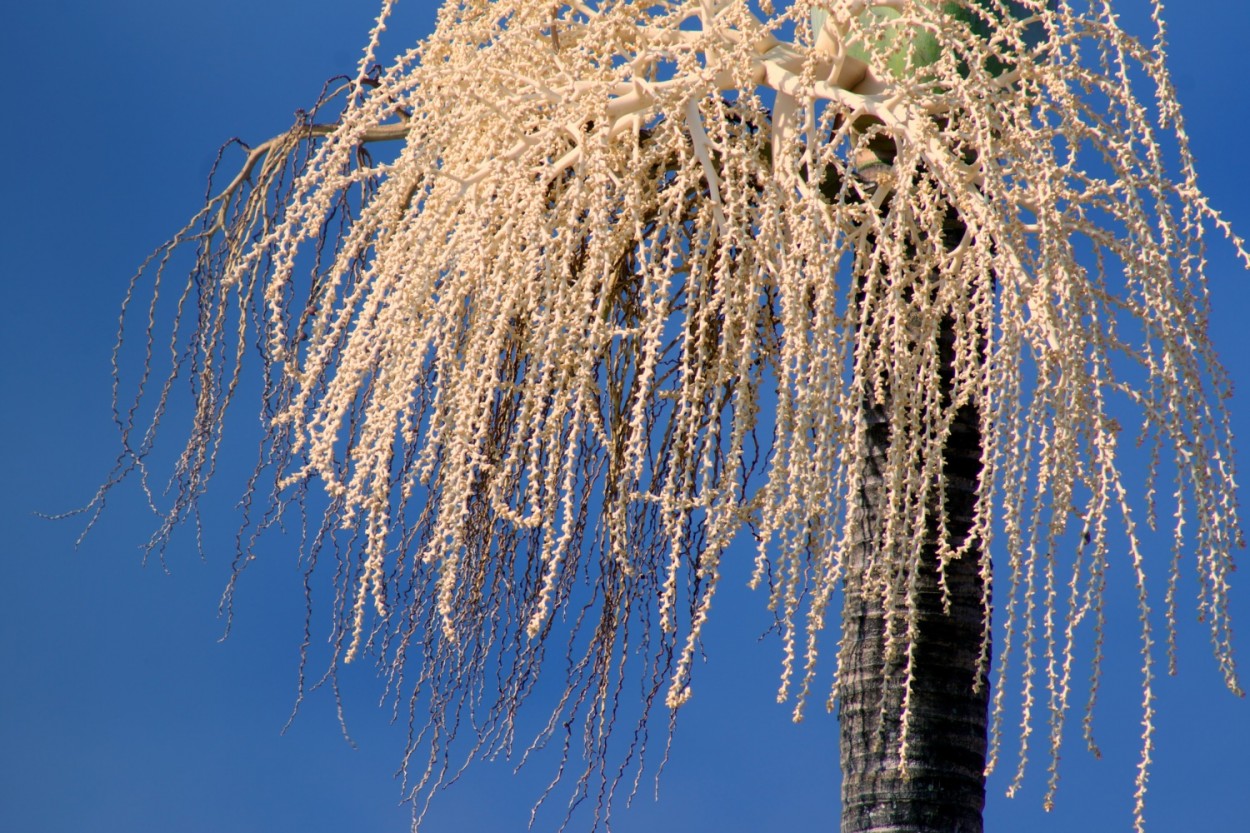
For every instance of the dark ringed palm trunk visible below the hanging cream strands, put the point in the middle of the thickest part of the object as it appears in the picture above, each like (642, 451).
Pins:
(943, 790)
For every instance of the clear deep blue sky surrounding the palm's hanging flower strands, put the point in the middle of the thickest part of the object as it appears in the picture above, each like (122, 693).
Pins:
(121, 711)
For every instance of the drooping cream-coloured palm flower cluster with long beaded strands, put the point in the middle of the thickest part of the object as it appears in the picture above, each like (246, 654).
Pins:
(627, 282)
